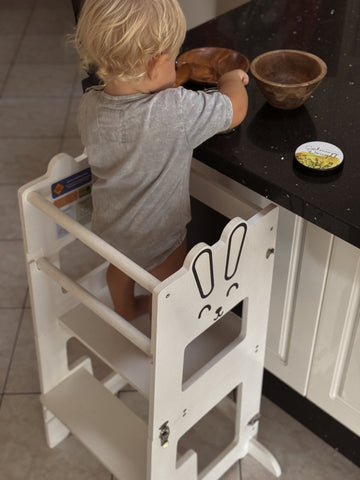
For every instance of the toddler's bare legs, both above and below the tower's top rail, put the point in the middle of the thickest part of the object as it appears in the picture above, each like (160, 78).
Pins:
(122, 287)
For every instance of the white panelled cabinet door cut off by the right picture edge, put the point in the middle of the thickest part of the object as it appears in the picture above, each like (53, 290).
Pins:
(335, 375)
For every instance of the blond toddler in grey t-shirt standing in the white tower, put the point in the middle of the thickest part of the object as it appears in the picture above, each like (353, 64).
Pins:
(140, 131)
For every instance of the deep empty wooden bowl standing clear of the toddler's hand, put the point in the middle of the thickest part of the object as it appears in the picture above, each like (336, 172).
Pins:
(288, 77)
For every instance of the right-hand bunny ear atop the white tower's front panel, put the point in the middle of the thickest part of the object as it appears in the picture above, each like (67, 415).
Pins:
(235, 232)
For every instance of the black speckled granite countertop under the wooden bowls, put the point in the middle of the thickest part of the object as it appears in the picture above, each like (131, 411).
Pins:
(260, 152)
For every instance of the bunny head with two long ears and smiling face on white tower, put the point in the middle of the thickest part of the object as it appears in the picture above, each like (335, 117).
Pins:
(215, 271)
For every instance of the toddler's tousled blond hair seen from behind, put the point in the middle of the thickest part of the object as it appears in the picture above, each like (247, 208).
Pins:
(120, 37)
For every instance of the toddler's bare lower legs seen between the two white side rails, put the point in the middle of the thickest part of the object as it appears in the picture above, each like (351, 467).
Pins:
(122, 293)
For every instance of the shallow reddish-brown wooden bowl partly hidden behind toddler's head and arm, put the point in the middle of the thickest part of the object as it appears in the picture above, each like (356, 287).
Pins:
(206, 65)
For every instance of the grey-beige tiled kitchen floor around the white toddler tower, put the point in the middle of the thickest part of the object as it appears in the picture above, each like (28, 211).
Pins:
(39, 91)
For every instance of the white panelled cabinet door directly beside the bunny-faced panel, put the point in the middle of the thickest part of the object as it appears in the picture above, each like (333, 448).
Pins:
(301, 266)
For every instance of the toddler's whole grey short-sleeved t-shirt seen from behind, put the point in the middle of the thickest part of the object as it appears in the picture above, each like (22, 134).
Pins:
(140, 149)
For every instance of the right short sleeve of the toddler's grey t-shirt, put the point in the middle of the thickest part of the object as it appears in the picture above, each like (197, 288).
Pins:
(204, 114)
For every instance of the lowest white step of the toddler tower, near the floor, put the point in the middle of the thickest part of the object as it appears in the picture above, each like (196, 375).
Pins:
(99, 419)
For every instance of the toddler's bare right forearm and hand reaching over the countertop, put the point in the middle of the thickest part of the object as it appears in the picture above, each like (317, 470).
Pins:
(233, 84)
